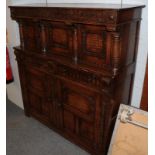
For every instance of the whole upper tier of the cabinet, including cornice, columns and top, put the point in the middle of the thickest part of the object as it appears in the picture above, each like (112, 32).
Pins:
(93, 36)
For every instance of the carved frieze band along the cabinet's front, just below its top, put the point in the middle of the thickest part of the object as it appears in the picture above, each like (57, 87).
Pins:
(59, 14)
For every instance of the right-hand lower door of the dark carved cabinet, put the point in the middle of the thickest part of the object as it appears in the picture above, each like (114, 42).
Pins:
(79, 112)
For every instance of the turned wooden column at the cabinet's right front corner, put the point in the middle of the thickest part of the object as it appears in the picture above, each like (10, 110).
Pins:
(116, 53)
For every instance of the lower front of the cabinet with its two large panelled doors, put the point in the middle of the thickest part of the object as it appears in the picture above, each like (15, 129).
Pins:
(71, 108)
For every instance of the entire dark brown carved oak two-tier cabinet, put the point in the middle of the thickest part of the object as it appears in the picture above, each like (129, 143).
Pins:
(76, 65)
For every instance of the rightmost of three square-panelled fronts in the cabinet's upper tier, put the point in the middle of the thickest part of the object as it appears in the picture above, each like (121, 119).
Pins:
(93, 45)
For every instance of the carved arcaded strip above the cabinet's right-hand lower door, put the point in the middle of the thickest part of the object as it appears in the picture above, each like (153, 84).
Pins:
(84, 77)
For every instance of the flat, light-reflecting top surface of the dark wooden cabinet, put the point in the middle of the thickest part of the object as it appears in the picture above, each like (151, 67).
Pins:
(81, 5)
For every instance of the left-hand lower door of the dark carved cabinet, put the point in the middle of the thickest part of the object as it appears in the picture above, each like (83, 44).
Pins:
(37, 93)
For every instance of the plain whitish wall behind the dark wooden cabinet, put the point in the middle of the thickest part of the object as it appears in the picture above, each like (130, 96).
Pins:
(14, 90)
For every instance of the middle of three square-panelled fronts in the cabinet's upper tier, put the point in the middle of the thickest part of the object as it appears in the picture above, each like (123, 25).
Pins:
(60, 39)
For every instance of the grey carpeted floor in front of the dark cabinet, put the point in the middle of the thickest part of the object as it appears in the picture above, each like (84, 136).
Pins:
(27, 136)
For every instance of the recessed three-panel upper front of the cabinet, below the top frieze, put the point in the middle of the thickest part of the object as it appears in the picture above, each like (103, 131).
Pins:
(77, 42)
